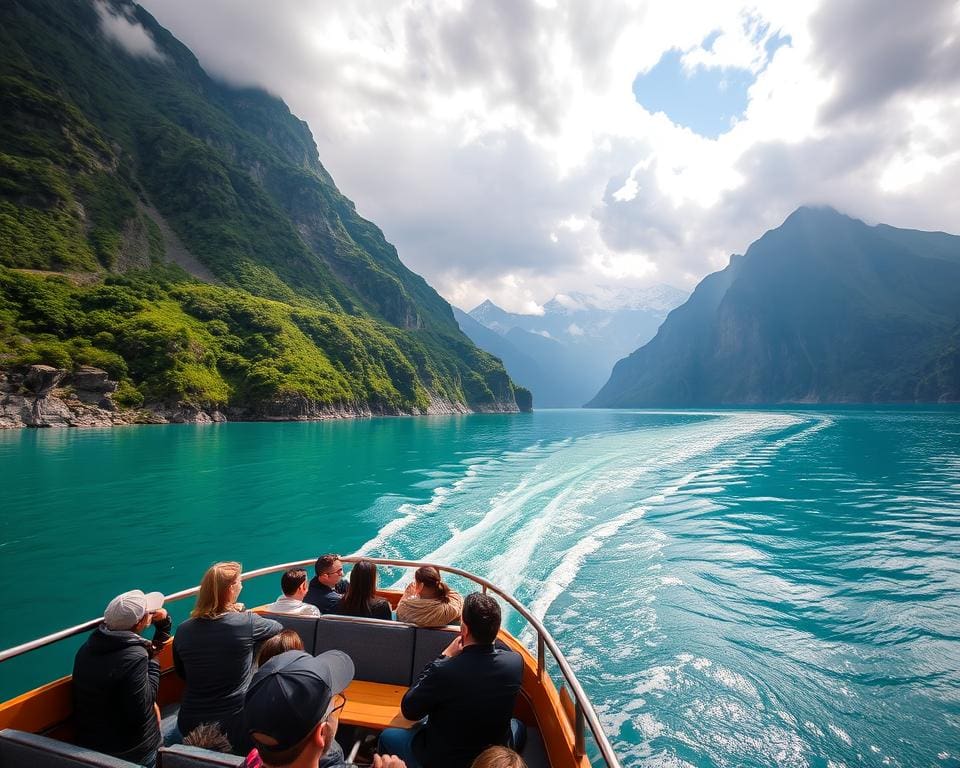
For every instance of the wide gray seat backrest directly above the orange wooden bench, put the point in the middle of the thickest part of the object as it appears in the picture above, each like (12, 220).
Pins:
(382, 651)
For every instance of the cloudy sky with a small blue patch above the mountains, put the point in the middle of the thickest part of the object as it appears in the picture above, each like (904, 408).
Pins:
(516, 149)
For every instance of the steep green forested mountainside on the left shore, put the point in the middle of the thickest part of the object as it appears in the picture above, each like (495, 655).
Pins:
(184, 236)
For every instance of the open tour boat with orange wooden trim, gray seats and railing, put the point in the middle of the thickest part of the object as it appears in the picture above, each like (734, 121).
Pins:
(35, 727)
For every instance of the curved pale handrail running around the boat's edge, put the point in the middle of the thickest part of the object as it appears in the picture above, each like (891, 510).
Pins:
(583, 715)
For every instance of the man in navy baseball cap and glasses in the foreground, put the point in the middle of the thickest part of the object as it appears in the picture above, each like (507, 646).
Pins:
(292, 710)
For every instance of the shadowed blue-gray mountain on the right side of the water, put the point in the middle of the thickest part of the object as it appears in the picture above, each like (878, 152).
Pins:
(823, 309)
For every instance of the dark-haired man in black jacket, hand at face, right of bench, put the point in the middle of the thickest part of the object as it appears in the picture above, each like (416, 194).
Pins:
(468, 695)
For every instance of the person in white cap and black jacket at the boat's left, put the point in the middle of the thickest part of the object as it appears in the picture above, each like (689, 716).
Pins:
(116, 678)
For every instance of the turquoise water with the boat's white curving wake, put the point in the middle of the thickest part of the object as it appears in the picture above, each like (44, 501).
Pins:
(733, 588)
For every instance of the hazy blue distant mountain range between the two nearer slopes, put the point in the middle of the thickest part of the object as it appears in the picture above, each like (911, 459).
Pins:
(565, 354)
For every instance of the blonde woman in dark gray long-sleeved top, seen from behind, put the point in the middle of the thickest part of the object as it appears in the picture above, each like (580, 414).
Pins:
(213, 653)
